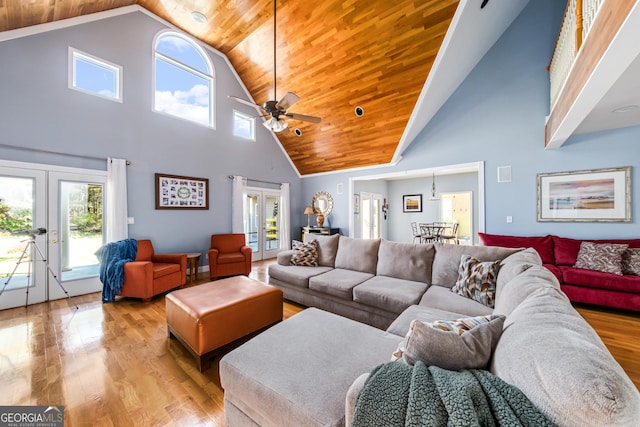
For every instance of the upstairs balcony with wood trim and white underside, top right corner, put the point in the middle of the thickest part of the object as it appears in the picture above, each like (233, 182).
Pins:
(595, 70)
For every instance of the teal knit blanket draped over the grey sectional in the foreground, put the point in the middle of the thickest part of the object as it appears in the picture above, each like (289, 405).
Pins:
(397, 394)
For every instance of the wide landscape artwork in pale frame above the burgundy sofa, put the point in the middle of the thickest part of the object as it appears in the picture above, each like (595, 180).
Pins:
(602, 195)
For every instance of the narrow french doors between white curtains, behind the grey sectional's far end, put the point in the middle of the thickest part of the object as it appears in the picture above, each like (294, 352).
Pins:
(262, 219)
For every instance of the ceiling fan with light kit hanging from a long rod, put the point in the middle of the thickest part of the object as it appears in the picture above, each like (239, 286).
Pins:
(278, 109)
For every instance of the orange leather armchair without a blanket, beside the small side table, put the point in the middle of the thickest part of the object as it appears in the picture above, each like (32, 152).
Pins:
(229, 255)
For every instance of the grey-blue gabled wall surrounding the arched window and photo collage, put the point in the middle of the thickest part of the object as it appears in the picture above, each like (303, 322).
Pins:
(38, 111)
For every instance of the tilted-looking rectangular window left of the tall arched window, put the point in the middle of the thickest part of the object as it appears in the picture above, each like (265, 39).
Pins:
(94, 76)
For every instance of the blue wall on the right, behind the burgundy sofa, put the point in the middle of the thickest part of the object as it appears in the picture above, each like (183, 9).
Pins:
(497, 116)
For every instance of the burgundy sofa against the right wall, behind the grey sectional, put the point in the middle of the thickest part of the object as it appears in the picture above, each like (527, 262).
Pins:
(585, 286)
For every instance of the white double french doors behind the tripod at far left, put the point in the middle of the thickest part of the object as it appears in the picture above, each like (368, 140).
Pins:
(51, 225)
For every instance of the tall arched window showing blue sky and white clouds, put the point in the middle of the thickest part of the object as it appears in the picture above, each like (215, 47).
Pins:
(183, 79)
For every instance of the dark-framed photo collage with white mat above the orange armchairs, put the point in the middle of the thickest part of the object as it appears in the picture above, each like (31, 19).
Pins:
(181, 192)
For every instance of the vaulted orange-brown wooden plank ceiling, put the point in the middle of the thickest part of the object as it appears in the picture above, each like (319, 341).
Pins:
(335, 54)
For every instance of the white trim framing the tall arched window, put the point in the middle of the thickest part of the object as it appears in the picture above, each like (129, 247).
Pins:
(211, 78)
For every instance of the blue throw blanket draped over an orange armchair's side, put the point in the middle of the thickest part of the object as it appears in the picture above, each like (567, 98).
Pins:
(112, 258)
